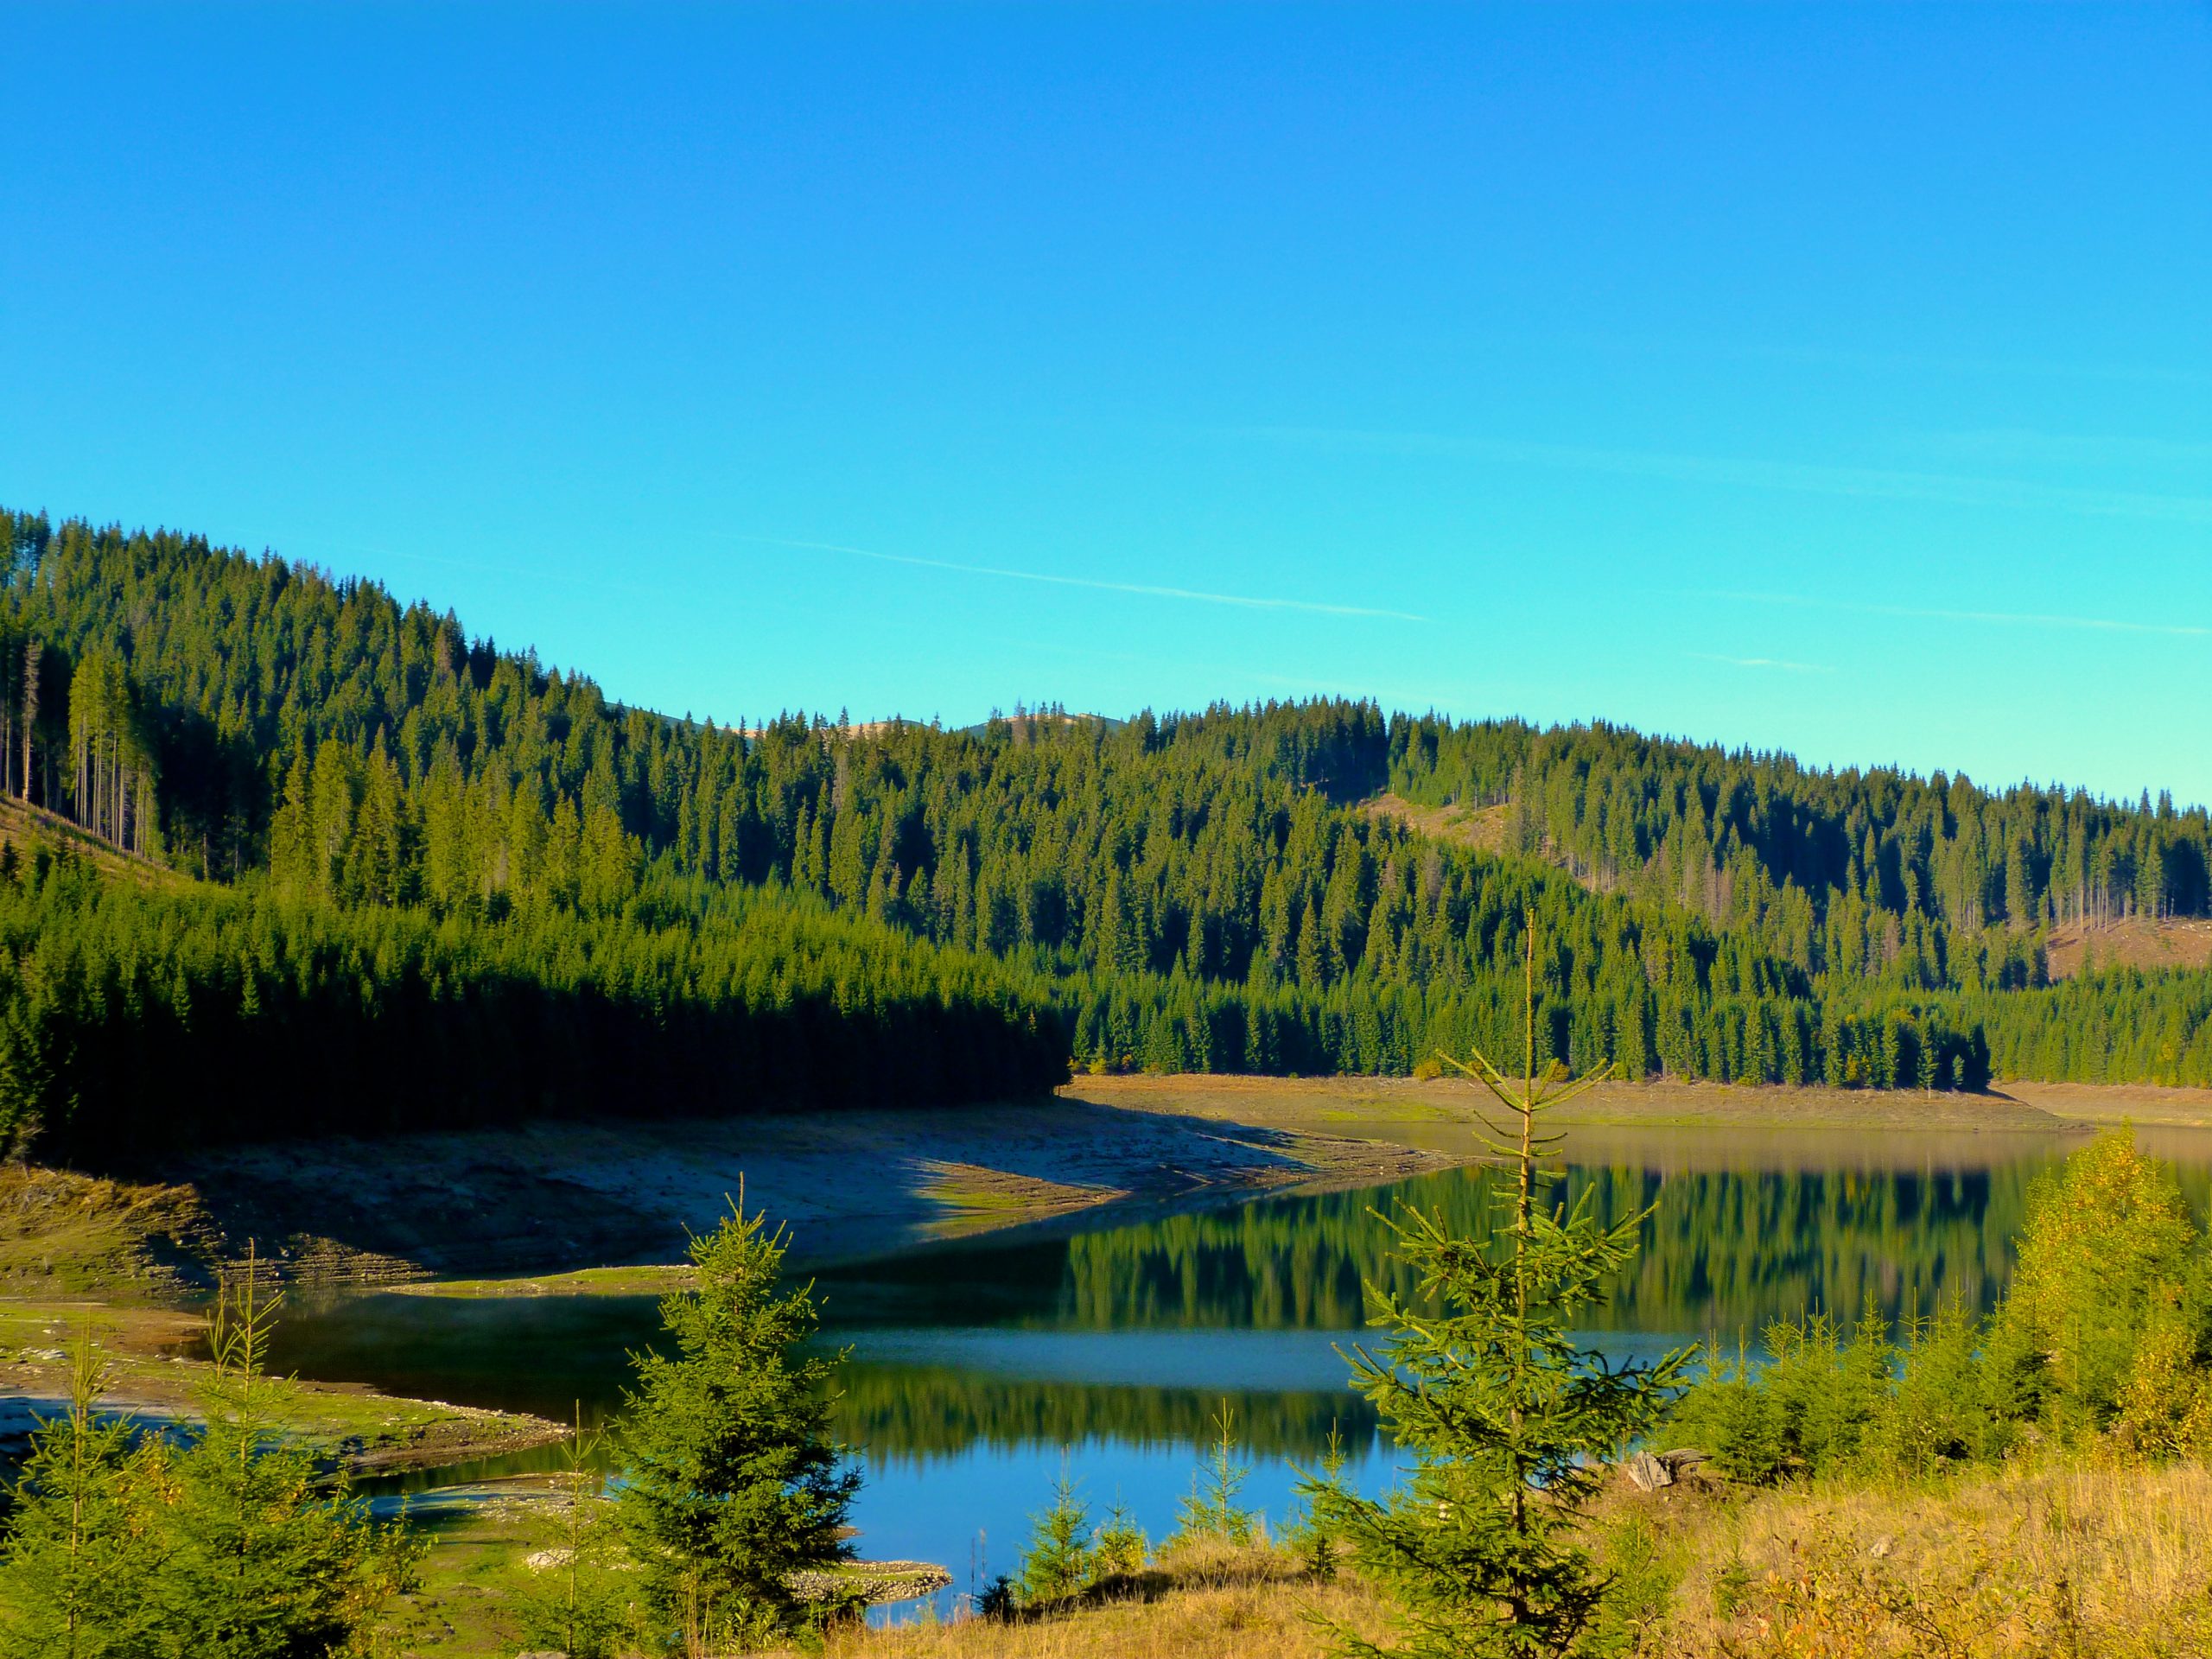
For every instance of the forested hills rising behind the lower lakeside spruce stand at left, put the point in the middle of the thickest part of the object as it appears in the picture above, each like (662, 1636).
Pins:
(1169, 893)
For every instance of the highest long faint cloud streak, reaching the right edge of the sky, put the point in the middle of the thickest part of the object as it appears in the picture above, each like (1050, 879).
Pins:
(1879, 483)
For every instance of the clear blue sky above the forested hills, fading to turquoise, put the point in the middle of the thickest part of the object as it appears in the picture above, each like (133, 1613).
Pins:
(1833, 379)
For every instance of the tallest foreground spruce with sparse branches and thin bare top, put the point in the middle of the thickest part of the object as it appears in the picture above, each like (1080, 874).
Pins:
(1505, 1415)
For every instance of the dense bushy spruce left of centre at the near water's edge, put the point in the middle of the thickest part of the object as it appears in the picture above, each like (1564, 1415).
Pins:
(733, 1481)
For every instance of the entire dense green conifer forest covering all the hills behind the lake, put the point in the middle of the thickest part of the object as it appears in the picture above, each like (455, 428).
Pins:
(421, 879)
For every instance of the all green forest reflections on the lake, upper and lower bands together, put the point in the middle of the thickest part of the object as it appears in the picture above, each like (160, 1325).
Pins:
(1724, 1253)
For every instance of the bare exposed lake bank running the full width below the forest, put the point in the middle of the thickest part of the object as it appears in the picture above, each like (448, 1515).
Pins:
(536, 1207)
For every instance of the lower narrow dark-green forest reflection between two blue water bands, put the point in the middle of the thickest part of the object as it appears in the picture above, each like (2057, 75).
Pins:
(919, 1412)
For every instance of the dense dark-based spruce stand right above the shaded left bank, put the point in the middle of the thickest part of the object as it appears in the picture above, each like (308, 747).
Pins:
(134, 1021)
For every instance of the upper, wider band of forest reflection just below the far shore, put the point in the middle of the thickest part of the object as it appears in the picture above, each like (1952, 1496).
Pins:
(1724, 1251)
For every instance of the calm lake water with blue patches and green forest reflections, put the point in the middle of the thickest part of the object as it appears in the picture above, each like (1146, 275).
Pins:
(981, 1368)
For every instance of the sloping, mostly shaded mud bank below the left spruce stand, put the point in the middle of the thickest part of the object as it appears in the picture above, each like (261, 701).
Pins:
(550, 1200)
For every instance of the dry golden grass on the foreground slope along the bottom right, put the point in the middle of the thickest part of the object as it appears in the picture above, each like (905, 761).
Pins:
(2087, 1563)
